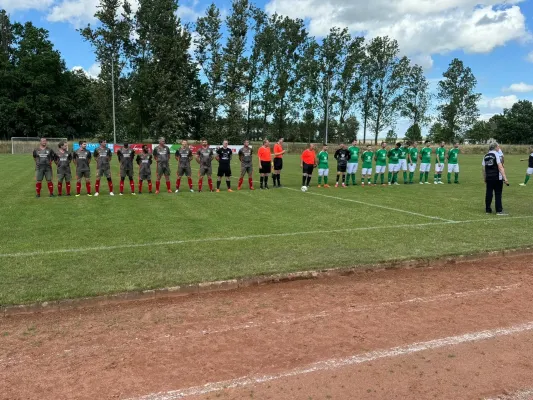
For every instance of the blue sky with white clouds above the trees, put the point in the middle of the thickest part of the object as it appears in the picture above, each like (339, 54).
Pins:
(491, 36)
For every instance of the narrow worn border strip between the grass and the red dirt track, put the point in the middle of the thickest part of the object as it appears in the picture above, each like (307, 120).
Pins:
(234, 284)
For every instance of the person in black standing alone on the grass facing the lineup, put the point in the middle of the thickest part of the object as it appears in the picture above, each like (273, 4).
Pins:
(494, 177)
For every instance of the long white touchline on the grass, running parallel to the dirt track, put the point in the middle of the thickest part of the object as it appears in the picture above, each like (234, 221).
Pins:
(238, 238)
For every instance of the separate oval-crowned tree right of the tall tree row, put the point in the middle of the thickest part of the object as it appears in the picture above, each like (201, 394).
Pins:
(458, 109)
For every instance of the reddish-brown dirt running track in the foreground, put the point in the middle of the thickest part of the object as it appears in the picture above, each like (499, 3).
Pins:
(153, 347)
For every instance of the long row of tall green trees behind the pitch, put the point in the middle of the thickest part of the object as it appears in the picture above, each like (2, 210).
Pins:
(247, 75)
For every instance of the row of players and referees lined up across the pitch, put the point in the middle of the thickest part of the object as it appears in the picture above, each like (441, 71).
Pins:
(403, 158)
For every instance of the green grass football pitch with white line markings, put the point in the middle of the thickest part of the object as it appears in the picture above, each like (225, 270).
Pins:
(35, 225)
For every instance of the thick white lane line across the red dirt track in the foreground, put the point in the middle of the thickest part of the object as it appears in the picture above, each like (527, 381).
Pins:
(337, 363)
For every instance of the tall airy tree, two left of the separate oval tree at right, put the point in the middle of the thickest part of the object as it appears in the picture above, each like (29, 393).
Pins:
(390, 77)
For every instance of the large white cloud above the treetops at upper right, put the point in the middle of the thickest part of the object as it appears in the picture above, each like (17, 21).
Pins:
(422, 27)
